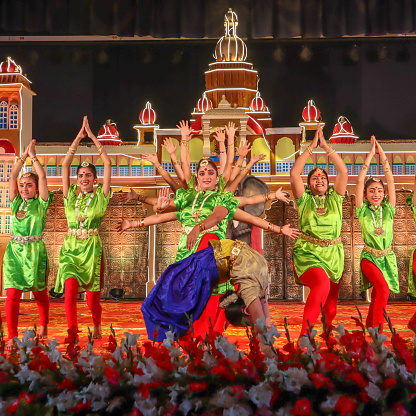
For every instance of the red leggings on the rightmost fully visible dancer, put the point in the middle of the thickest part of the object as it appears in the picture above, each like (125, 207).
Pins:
(379, 294)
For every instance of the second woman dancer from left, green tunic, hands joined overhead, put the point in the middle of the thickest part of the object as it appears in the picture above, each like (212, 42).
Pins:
(81, 262)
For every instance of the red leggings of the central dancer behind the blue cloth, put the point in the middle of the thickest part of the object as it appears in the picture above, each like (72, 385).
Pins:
(212, 310)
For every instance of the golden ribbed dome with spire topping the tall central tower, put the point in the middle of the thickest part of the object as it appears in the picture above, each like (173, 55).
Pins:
(230, 47)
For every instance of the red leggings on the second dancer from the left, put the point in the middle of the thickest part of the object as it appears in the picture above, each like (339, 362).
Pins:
(93, 302)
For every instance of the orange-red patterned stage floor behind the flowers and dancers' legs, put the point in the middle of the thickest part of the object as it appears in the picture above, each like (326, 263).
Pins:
(125, 316)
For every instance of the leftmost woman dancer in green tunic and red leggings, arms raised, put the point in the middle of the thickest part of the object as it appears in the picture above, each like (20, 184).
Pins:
(25, 264)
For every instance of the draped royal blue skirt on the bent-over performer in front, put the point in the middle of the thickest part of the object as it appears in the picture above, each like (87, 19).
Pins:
(181, 292)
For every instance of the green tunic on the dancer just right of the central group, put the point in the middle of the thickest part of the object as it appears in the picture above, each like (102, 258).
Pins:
(326, 226)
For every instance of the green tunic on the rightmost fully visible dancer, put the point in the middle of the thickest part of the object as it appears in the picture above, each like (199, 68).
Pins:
(387, 264)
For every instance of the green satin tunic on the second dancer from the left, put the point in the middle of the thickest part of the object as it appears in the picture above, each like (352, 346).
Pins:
(81, 259)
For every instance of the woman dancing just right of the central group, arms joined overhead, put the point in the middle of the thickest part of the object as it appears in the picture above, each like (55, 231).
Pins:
(318, 254)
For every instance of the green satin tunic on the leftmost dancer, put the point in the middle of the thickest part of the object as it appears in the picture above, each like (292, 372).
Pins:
(25, 265)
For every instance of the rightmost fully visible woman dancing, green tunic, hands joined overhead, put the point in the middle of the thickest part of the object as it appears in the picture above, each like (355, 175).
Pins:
(375, 212)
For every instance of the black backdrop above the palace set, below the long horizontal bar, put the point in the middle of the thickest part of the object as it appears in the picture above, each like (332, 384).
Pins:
(115, 79)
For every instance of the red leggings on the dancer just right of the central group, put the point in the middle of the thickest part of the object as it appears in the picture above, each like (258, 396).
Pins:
(323, 292)
